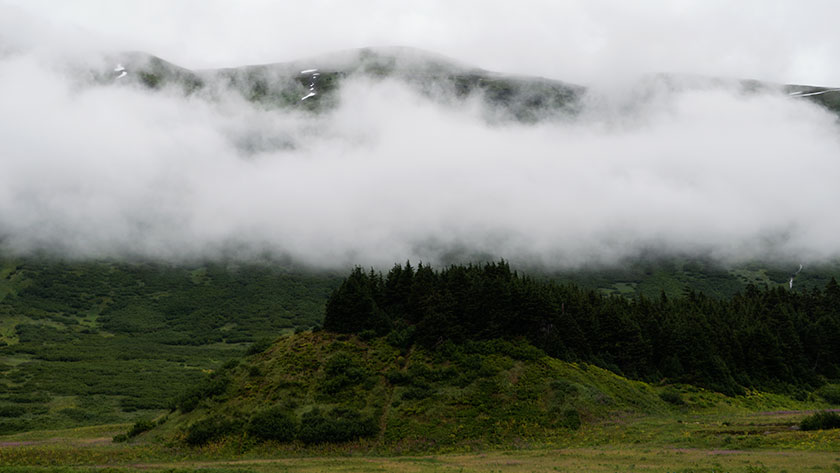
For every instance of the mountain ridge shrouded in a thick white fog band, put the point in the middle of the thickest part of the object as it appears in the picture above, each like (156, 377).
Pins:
(389, 163)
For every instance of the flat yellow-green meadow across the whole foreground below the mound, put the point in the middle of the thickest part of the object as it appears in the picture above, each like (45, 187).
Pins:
(695, 442)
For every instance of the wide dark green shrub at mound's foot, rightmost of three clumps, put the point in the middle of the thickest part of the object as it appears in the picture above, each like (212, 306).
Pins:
(337, 425)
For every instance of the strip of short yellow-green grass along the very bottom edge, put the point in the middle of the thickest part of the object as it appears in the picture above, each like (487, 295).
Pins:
(599, 459)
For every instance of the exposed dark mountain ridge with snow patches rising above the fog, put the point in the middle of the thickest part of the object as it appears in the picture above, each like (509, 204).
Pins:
(312, 84)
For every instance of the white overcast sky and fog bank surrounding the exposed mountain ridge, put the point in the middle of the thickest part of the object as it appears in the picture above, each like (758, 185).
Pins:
(114, 169)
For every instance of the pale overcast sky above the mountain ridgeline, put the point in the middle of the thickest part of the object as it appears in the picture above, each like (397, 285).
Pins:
(574, 40)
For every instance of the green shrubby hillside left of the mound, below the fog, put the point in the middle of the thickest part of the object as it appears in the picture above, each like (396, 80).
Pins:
(83, 343)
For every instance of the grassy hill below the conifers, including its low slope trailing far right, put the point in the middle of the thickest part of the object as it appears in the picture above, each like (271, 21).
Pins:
(321, 392)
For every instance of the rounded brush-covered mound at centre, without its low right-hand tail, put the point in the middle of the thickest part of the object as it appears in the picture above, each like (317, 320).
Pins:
(314, 388)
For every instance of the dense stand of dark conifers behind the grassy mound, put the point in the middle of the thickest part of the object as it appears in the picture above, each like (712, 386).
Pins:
(768, 338)
